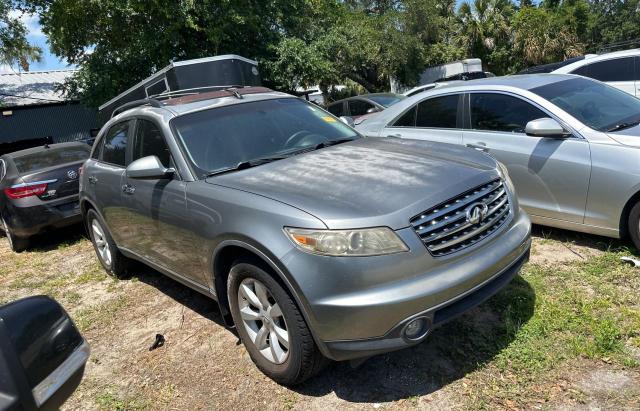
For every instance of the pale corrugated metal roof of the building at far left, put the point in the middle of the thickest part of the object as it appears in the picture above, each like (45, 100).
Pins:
(32, 87)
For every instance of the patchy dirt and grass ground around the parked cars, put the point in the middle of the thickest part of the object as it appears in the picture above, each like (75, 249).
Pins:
(506, 354)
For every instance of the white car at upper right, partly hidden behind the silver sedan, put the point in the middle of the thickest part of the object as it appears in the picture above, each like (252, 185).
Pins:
(620, 69)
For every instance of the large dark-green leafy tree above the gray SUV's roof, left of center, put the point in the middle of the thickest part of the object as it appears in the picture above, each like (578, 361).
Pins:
(116, 43)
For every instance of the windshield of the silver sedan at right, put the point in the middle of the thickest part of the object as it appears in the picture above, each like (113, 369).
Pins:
(597, 105)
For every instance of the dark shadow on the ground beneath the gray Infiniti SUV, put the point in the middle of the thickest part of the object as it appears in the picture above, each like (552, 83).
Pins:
(448, 354)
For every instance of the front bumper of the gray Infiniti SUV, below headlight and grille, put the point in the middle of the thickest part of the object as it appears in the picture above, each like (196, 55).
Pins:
(358, 306)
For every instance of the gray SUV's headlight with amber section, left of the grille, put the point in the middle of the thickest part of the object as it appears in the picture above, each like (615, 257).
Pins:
(367, 241)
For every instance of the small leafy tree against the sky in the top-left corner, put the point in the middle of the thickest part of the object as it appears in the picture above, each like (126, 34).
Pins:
(15, 50)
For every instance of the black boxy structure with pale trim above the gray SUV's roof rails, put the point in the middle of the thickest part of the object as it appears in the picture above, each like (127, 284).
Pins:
(220, 71)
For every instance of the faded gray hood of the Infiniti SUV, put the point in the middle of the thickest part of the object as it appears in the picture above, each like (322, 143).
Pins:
(368, 182)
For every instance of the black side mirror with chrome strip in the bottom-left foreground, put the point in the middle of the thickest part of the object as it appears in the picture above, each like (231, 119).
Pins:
(42, 354)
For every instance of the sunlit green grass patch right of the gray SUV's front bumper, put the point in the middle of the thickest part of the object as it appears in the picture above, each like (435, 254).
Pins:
(587, 310)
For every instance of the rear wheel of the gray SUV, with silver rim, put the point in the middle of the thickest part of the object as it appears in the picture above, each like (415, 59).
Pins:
(113, 261)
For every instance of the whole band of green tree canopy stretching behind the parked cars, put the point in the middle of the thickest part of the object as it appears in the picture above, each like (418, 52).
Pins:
(116, 43)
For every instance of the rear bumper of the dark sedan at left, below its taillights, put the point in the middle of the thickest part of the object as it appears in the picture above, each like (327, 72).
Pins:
(26, 219)
